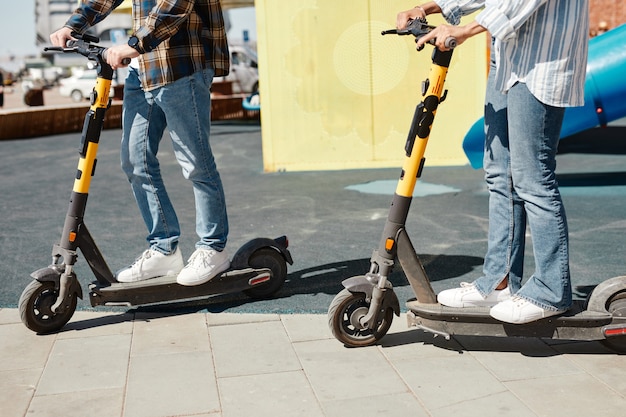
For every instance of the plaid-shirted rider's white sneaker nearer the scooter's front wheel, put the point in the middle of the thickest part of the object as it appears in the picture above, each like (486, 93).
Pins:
(151, 264)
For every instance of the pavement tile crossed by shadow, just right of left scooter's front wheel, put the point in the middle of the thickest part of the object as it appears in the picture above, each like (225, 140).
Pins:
(92, 323)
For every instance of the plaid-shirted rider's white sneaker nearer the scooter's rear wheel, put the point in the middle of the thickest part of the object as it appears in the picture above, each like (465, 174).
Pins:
(203, 265)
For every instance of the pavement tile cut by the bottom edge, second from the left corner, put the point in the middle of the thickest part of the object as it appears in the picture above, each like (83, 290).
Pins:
(100, 403)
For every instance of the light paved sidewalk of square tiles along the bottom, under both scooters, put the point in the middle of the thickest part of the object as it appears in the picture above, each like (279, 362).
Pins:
(254, 365)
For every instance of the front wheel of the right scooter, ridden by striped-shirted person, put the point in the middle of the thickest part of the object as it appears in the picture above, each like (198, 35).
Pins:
(344, 316)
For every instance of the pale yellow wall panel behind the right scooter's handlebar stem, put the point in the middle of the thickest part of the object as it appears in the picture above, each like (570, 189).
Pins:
(335, 94)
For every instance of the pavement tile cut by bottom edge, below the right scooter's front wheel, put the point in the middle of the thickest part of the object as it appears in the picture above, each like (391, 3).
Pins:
(392, 405)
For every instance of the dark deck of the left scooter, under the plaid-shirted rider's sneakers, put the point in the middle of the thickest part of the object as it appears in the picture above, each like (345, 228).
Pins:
(161, 289)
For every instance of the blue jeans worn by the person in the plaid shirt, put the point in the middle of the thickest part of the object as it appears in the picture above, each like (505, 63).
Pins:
(184, 108)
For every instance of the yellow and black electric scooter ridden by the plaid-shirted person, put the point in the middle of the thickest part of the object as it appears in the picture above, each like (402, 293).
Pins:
(258, 268)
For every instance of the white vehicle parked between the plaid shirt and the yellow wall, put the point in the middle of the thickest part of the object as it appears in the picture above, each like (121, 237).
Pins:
(244, 70)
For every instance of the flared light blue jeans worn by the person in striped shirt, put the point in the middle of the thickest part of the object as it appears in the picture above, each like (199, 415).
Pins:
(520, 161)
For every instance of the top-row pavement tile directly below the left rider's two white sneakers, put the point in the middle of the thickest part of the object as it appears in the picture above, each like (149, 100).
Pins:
(160, 333)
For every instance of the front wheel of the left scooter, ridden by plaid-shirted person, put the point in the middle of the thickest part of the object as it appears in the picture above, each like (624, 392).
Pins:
(35, 307)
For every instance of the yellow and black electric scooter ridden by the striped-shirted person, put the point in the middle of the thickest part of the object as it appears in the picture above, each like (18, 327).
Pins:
(363, 311)
